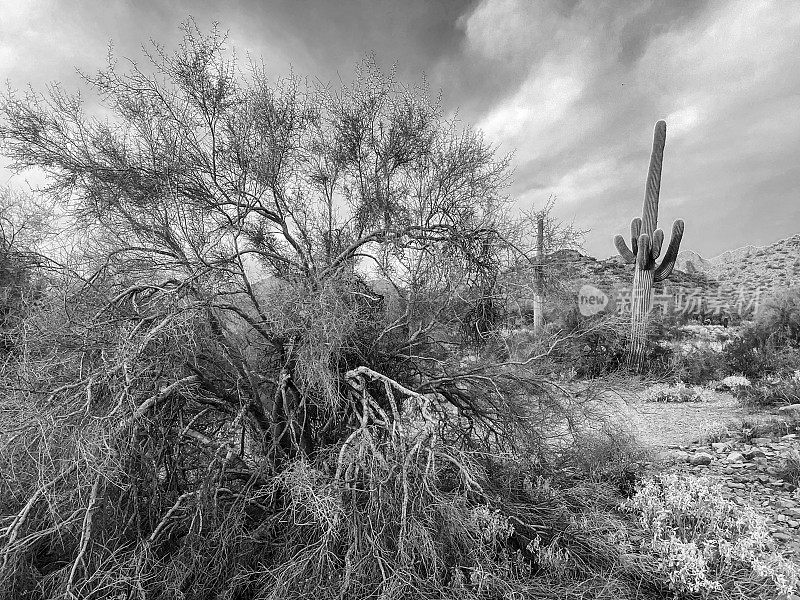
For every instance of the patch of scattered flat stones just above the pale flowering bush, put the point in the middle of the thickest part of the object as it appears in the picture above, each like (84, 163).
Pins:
(752, 471)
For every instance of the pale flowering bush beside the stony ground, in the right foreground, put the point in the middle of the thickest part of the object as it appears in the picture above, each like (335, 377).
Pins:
(705, 545)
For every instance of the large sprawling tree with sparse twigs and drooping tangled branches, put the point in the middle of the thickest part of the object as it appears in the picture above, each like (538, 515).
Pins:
(215, 341)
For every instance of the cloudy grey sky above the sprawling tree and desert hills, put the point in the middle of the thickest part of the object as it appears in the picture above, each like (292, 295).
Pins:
(572, 88)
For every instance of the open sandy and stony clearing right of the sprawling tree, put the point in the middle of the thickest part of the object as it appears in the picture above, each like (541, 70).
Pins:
(728, 444)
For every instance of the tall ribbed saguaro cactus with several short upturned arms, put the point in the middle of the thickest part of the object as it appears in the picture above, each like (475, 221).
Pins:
(646, 242)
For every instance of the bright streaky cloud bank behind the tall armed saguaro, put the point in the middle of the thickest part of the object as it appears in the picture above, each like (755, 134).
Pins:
(598, 76)
